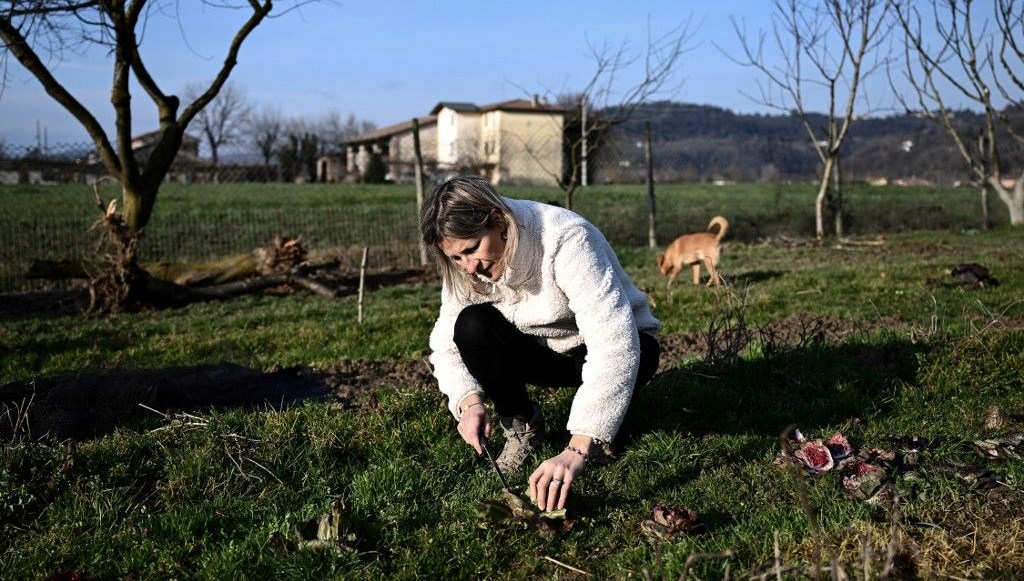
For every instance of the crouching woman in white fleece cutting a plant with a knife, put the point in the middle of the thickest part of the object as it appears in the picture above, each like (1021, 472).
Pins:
(533, 295)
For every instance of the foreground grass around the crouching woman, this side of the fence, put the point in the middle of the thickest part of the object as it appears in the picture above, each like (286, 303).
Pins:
(872, 339)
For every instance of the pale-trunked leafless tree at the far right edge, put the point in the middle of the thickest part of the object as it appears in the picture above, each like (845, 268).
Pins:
(979, 61)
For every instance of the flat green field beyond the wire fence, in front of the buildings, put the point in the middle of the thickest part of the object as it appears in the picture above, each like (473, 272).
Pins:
(204, 222)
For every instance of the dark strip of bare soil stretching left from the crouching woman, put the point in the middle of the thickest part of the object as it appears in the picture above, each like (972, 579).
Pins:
(91, 405)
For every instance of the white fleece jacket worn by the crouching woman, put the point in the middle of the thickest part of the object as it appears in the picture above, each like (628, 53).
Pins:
(566, 286)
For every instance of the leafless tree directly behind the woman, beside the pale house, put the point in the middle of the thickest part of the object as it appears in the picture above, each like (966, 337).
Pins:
(604, 103)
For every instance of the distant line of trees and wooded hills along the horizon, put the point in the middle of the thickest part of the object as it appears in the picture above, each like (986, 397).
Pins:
(692, 143)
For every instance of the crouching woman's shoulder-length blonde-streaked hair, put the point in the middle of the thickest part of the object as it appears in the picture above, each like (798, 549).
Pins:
(465, 207)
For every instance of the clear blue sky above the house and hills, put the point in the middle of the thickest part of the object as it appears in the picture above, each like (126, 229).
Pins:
(389, 61)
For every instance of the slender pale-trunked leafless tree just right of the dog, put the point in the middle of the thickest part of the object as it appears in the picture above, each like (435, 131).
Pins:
(833, 46)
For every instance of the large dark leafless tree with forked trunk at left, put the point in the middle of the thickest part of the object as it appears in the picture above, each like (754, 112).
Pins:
(38, 33)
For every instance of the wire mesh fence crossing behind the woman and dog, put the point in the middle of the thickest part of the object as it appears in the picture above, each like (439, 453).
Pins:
(207, 214)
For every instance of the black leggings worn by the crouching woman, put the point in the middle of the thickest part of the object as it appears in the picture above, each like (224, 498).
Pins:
(504, 360)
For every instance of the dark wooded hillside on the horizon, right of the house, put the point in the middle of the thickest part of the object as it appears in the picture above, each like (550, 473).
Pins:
(698, 143)
